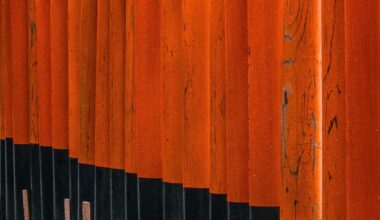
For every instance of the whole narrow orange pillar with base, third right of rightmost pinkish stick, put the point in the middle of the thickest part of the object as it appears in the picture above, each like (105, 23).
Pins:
(130, 113)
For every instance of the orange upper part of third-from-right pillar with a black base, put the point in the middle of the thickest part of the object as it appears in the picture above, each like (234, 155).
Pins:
(218, 99)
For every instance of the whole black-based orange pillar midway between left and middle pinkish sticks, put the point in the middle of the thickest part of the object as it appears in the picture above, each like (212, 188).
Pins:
(44, 105)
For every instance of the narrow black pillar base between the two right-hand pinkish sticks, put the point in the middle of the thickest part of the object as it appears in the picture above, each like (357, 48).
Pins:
(74, 189)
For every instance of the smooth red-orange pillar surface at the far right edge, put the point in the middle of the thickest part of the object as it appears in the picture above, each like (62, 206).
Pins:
(362, 49)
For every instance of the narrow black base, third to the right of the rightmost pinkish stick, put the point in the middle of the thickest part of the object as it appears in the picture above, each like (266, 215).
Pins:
(132, 199)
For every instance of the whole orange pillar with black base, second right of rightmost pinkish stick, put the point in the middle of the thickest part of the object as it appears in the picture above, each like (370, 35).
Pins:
(117, 106)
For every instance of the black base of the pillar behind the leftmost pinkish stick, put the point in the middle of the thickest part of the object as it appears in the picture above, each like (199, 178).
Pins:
(22, 174)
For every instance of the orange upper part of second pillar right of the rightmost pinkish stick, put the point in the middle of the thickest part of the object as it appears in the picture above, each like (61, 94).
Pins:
(116, 86)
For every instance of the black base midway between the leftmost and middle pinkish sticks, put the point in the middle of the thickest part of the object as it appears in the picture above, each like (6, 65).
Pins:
(47, 182)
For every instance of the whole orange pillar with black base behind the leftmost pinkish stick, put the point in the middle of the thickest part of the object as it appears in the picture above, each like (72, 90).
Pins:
(20, 116)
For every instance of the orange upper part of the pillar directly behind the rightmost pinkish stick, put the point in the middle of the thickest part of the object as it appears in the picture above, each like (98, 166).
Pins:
(87, 71)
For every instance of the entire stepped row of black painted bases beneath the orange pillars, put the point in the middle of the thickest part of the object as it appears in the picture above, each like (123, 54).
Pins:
(112, 193)
